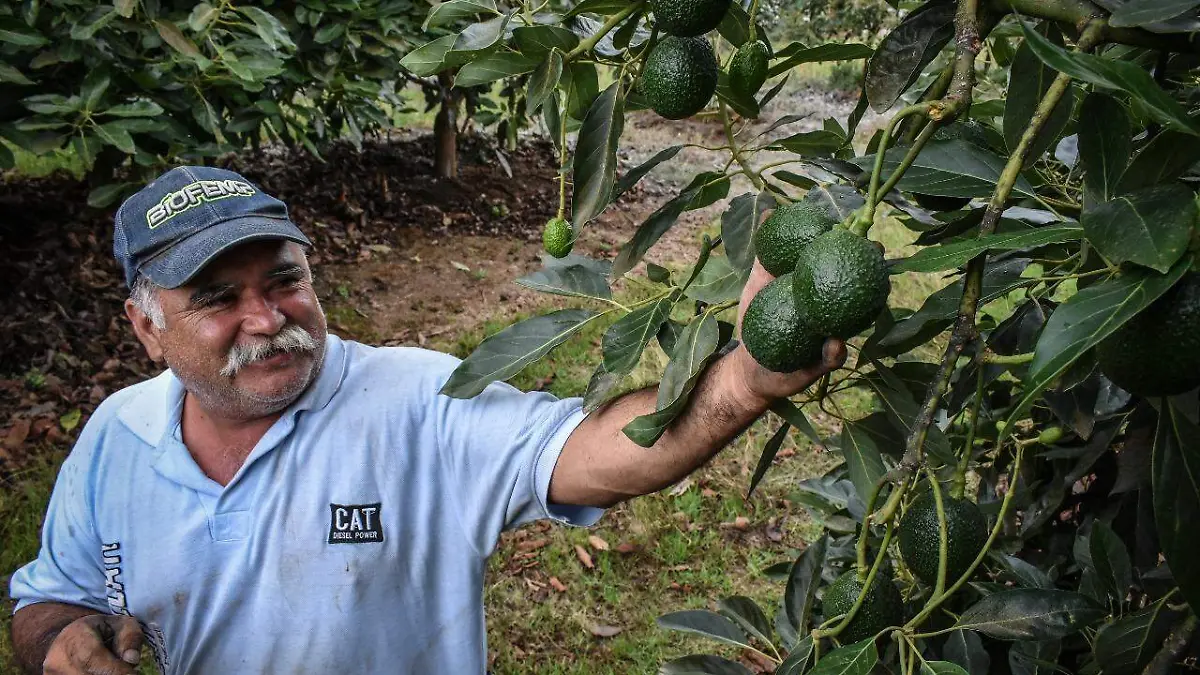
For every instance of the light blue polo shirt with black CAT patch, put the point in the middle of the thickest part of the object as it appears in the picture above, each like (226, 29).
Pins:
(353, 540)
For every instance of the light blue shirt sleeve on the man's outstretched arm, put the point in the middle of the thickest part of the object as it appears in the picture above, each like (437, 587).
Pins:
(500, 451)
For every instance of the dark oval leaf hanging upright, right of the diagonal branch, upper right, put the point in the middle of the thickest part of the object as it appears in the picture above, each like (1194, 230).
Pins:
(1105, 144)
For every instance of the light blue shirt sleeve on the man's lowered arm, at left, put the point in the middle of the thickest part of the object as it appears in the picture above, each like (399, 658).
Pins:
(69, 569)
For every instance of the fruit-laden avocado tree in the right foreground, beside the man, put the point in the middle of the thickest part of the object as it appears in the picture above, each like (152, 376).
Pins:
(1019, 504)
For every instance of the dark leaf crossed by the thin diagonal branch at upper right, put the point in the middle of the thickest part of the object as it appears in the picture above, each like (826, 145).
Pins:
(1029, 81)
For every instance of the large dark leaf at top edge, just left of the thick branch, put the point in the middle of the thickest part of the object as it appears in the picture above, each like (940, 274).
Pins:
(905, 52)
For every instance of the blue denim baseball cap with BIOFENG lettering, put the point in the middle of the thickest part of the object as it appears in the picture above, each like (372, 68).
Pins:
(170, 230)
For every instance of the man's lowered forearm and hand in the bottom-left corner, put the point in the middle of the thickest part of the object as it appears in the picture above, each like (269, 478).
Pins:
(67, 640)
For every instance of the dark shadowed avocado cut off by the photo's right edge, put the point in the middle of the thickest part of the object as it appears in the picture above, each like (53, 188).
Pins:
(1157, 353)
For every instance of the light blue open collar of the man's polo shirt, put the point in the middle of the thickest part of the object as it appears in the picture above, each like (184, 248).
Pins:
(157, 409)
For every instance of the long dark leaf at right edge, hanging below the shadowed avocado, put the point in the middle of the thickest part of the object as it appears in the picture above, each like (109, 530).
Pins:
(1175, 475)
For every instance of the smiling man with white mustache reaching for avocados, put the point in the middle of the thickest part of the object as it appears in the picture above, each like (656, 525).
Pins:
(284, 501)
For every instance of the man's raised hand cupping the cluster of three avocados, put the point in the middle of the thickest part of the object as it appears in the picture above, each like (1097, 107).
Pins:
(766, 386)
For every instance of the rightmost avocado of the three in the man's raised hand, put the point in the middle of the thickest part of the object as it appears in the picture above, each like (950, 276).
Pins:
(842, 283)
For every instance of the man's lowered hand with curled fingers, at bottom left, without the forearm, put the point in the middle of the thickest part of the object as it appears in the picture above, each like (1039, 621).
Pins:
(97, 646)
